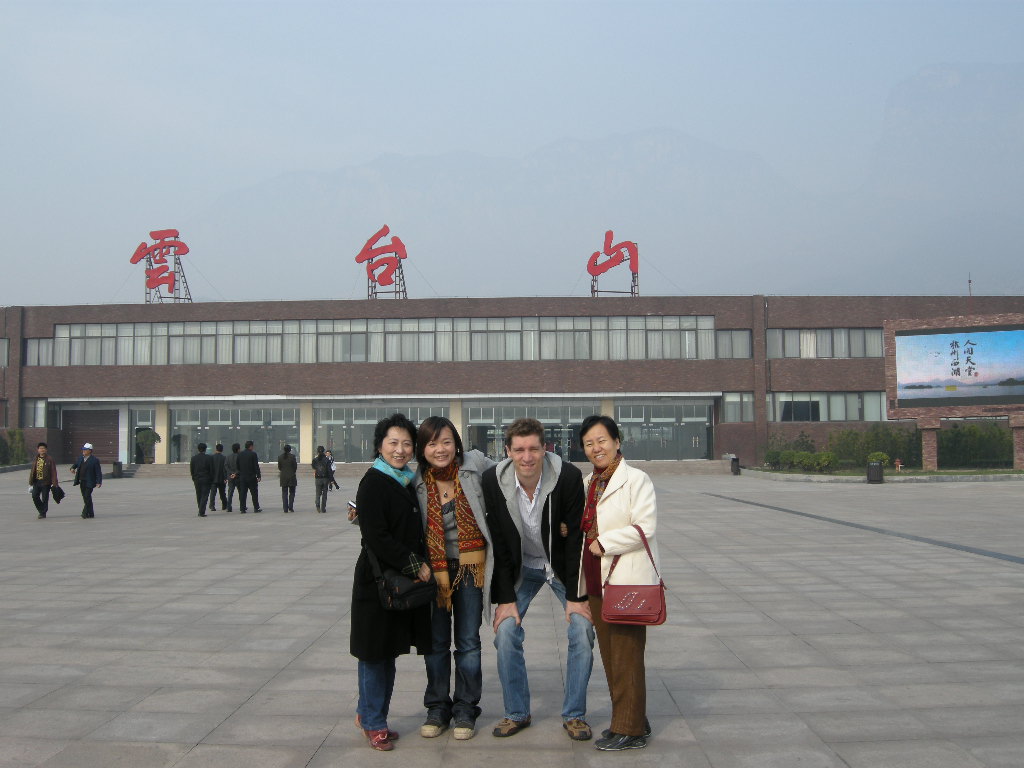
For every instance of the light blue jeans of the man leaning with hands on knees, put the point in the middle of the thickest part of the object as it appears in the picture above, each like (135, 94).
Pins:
(513, 664)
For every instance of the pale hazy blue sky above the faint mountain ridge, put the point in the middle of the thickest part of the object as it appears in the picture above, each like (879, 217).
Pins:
(129, 116)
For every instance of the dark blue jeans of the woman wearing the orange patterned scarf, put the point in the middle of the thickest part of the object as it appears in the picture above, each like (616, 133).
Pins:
(467, 613)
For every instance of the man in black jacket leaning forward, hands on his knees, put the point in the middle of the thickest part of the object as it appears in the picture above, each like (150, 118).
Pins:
(535, 504)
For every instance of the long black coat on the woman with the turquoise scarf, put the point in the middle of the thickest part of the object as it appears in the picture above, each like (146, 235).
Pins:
(392, 527)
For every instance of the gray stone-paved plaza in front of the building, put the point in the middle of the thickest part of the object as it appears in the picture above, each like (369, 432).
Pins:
(150, 637)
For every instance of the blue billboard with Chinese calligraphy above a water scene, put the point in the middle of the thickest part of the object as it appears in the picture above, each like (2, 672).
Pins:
(969, 366)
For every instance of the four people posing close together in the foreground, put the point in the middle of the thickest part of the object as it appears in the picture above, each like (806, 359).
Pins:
(492, 536)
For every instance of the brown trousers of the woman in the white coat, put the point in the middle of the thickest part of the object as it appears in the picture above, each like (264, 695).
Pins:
(622, 654)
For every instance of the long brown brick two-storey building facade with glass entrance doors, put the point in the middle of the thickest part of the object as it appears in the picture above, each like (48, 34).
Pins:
(687, 377)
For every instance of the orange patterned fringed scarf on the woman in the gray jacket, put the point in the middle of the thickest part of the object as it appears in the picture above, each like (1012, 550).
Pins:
(473, 546)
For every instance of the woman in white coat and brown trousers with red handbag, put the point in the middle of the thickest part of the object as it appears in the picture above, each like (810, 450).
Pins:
(619, 497)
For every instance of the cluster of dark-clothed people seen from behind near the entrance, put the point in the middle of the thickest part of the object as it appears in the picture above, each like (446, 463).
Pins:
(221, 475)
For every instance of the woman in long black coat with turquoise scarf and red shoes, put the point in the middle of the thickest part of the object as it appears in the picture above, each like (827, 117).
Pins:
(393, 529)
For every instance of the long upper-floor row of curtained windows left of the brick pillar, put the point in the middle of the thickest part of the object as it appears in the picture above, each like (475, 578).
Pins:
(460, 339)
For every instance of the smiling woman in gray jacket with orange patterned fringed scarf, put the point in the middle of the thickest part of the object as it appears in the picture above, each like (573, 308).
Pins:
(448, 486)
